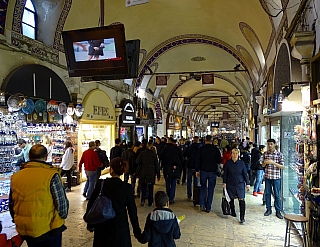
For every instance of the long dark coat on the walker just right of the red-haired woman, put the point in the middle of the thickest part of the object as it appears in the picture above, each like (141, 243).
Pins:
(149, 167)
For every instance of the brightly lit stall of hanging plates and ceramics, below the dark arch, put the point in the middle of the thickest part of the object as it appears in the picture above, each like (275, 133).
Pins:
(35, 121)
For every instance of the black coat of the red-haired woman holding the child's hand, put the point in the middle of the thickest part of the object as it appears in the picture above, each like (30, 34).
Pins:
(115, 232)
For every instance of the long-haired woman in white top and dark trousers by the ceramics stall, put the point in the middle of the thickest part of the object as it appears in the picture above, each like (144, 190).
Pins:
(67, 163)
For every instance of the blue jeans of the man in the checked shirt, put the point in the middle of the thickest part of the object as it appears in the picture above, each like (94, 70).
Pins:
(276, 185)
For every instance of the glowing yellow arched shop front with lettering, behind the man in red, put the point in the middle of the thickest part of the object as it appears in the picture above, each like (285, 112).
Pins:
(97, 123)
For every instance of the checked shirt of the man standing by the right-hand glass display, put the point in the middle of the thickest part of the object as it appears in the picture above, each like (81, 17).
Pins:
(271, 171)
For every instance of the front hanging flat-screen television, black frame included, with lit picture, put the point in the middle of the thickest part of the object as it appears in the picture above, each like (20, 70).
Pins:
(96, 51)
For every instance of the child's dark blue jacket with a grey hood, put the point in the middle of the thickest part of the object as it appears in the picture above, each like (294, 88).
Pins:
(161, 228)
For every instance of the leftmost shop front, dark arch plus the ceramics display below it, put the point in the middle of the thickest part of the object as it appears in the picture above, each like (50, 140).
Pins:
(40, 111)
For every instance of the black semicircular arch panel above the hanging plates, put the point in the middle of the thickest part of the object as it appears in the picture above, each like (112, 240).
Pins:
(36, 81)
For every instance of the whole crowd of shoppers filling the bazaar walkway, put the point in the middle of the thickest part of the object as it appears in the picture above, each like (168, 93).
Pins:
(241, 165)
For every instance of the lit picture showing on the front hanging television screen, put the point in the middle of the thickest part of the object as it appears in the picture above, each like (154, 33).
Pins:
(101, 49)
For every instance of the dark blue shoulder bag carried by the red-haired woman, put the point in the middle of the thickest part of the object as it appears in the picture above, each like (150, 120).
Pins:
(101, 209)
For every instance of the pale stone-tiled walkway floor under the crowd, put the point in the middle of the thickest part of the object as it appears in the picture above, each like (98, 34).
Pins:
(198, 229)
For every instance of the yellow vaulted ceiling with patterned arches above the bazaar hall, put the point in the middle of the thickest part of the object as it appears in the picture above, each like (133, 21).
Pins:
(195, 36)
